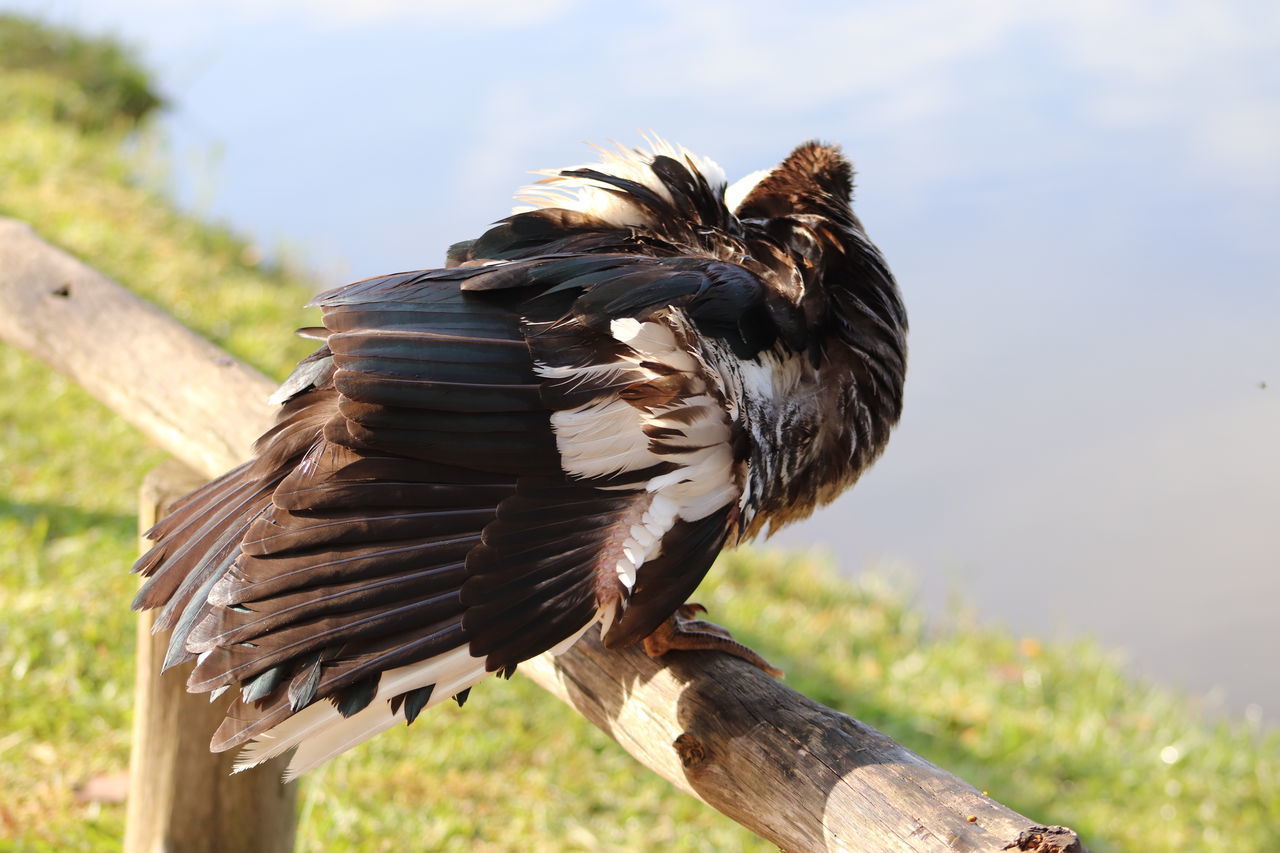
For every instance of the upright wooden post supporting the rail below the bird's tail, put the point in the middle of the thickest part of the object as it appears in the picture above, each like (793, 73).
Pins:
(182, 799)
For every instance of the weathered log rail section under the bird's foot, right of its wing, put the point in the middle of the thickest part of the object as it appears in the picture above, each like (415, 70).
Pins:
(789, 769)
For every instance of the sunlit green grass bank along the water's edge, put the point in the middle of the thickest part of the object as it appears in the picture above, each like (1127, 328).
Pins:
(1058, 732)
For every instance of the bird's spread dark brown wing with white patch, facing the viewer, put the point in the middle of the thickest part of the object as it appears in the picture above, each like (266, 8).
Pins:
(478, 466)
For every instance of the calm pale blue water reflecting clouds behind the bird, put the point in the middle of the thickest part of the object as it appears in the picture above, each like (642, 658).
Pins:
(1080, 200)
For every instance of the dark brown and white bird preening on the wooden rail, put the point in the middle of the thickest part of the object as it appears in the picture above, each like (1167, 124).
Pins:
(560, 428)
